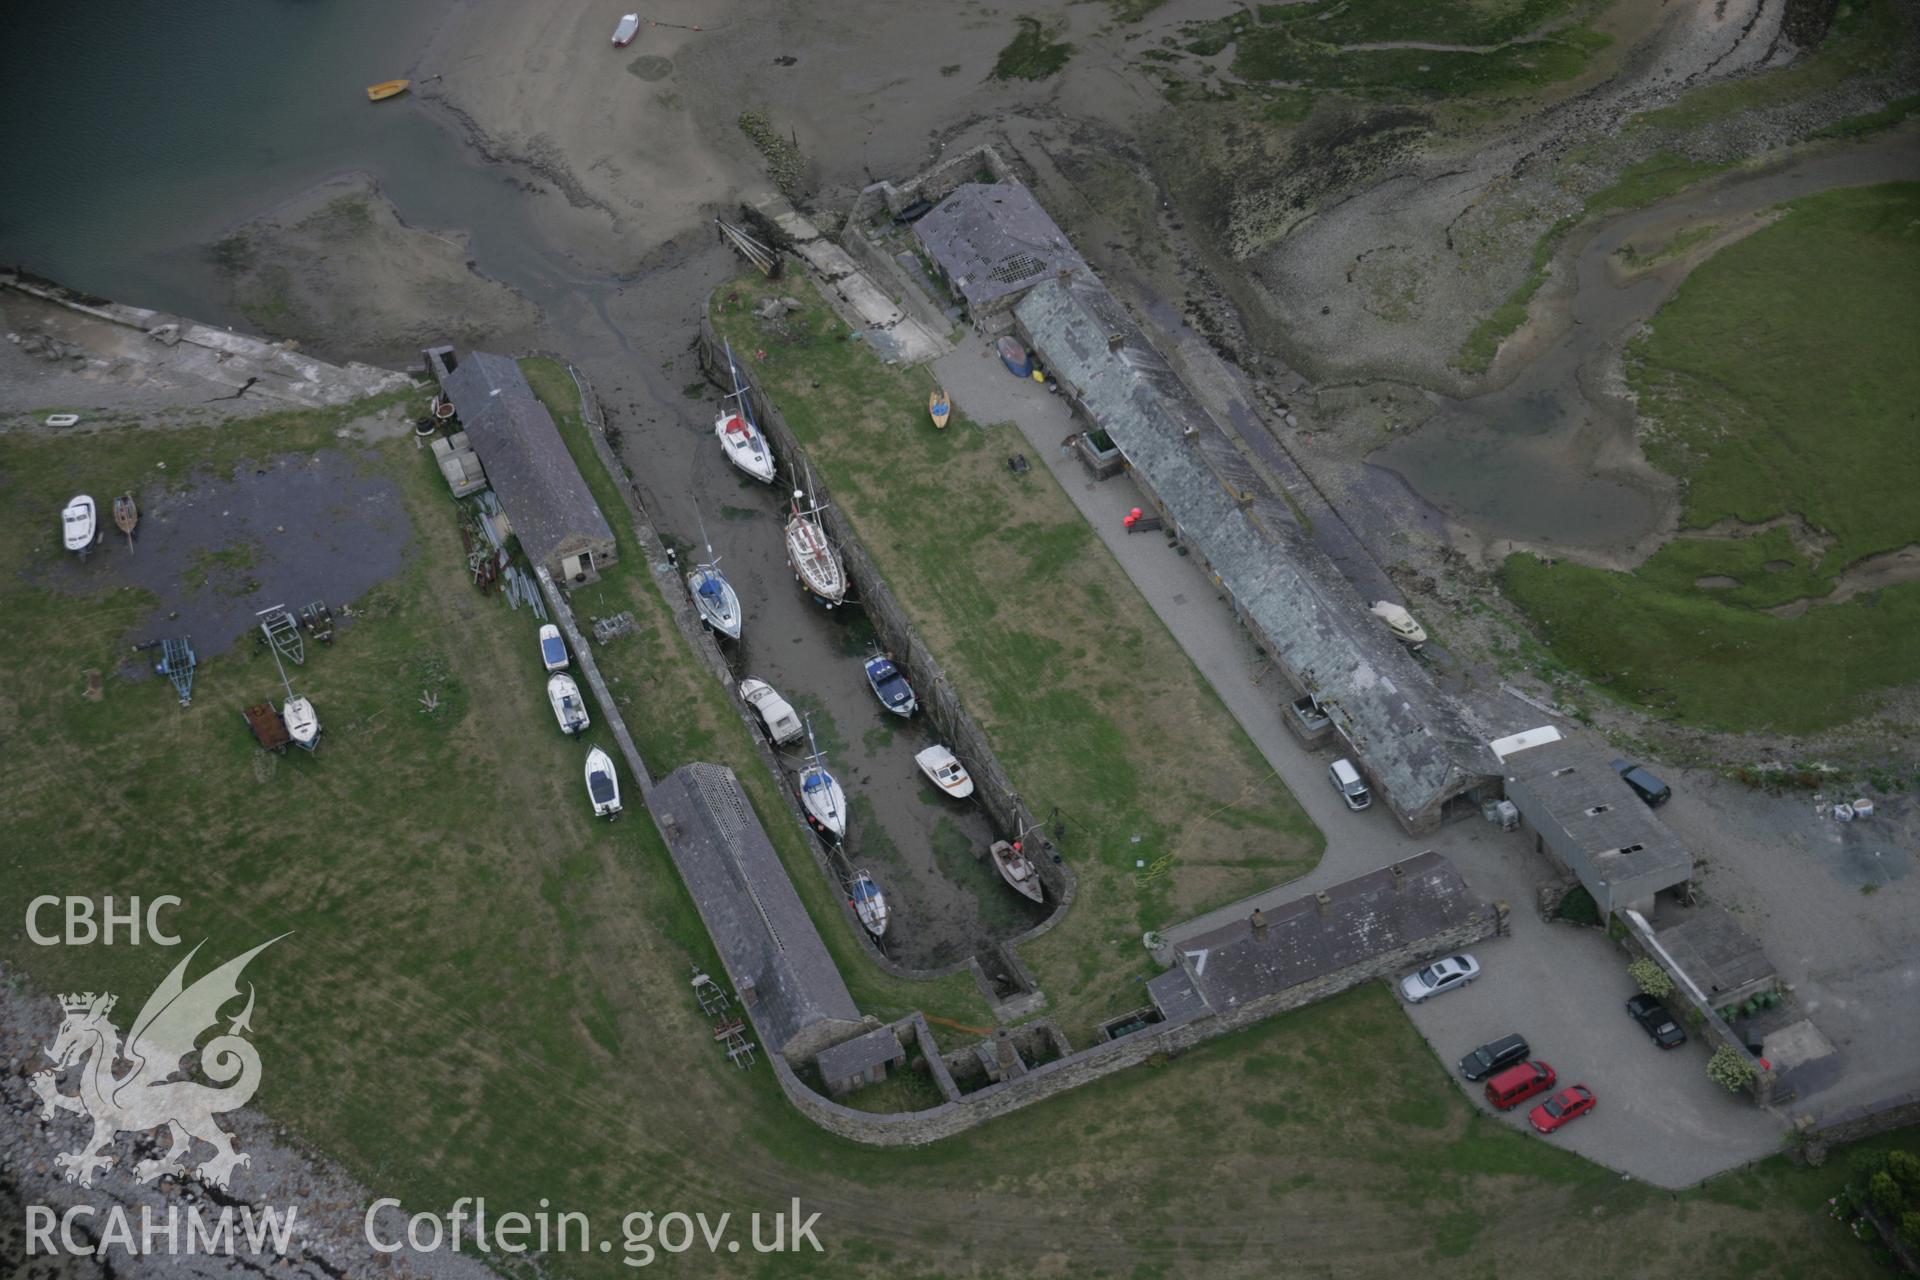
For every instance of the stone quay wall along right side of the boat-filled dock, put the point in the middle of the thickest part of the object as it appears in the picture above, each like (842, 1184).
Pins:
(936, 694)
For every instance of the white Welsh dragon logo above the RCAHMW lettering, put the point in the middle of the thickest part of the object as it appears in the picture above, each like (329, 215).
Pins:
(149, 1095)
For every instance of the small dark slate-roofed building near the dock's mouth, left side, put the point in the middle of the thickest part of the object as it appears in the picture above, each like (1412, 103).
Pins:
(540, 488)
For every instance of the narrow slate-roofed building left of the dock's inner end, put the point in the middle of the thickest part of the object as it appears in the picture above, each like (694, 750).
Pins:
(773, 955)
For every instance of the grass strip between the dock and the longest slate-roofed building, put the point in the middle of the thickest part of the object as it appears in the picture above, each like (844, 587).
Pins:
(1088, 699)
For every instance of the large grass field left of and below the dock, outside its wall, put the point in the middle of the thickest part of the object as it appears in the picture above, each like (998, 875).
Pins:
(485, 993)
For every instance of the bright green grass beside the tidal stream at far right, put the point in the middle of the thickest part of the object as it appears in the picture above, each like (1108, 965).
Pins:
(1781, 381)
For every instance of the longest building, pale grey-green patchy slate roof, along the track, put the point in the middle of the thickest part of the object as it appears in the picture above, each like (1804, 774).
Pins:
(1414, 749)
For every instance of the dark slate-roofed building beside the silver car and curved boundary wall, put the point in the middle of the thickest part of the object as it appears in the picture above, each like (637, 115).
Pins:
(1408, 909)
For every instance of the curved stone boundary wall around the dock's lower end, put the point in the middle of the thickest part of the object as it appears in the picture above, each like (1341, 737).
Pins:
(1101, 1060)
